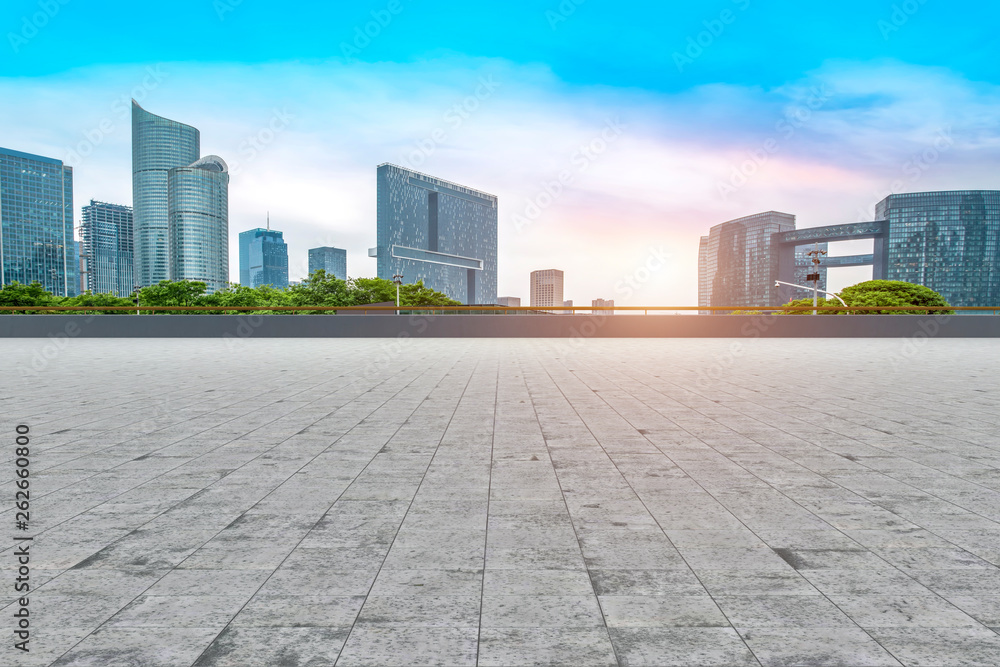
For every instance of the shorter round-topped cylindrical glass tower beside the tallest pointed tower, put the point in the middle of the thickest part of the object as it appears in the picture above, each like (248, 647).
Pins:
(198, 222)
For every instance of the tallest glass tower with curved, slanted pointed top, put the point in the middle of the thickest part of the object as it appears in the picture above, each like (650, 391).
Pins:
(158, 145)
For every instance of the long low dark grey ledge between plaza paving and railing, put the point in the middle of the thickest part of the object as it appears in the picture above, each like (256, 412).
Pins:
(499, 326)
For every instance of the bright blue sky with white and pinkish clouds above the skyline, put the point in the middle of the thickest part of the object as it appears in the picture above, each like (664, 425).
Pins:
(615, 134)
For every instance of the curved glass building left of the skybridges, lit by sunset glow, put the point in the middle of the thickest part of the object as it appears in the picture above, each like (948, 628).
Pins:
(734, 263)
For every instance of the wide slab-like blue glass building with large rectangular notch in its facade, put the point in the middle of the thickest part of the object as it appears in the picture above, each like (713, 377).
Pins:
(439, 232)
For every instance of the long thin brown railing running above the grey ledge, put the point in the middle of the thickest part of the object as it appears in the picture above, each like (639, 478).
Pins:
(490, 310)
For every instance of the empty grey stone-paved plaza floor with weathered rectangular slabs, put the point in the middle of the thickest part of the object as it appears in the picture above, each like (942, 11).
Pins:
(483, 502)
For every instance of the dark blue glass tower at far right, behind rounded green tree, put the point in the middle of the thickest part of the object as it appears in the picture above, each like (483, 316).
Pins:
(948, 241)
